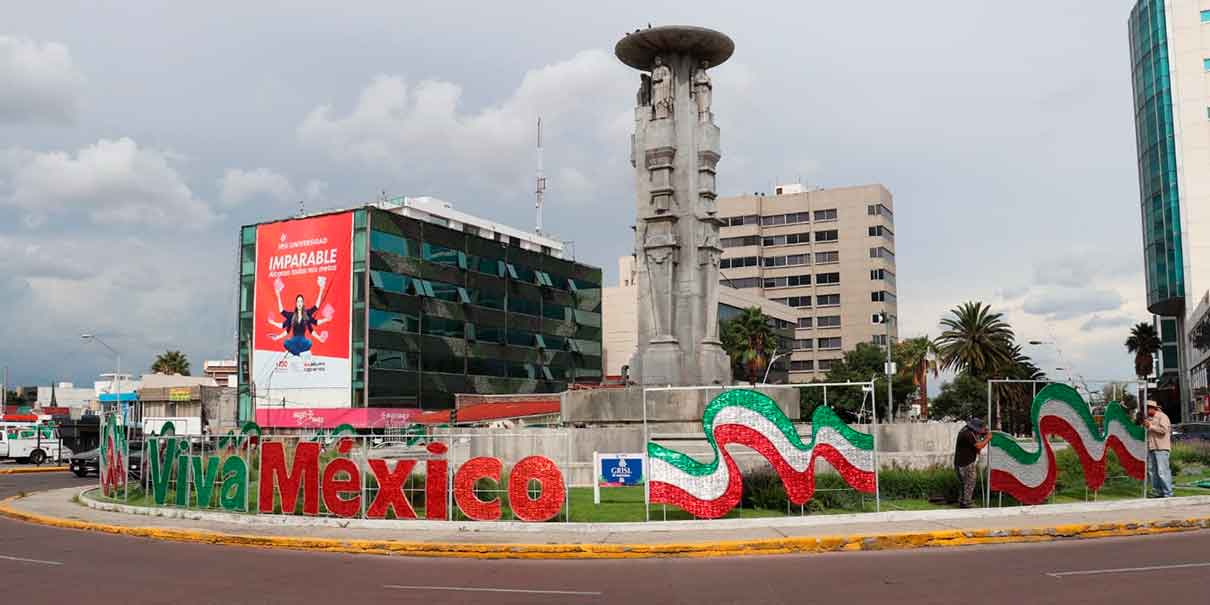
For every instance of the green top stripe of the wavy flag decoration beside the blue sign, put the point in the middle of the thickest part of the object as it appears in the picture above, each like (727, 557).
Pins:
(768, 408)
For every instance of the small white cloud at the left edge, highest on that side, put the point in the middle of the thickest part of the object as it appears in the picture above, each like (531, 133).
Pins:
(41, 84)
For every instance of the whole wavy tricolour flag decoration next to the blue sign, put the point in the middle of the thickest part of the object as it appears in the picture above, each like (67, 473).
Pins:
(710, 491)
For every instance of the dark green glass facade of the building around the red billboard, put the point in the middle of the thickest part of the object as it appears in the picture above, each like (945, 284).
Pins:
(439, 312)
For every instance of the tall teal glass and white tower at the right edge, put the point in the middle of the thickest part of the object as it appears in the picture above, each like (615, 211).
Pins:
(1171, 64)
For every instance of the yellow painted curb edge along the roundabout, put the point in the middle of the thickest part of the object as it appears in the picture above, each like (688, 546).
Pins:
(594, 551)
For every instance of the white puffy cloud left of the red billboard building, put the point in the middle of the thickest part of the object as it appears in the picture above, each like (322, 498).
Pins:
(112, 183)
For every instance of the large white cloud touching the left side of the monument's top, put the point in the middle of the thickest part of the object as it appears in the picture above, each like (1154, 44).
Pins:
(422, 129)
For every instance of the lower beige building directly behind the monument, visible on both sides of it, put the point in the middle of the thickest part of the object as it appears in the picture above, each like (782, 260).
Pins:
(621, 337)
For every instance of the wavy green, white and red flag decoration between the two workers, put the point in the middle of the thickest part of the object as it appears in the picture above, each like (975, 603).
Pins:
(1029, 475)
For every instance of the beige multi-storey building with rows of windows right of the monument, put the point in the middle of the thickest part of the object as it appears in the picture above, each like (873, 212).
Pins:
(828, 253)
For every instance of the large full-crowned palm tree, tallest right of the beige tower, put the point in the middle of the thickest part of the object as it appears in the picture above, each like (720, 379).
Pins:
(976, 341)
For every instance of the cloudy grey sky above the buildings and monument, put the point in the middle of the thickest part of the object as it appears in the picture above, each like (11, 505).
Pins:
(136, 139)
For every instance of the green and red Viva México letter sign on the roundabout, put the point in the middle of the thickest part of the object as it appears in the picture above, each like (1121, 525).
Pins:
(296, 481)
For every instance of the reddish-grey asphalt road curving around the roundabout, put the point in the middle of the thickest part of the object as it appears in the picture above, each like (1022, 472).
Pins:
(42, 564)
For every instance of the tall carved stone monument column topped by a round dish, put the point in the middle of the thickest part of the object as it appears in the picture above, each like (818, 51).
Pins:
(676, 153)
